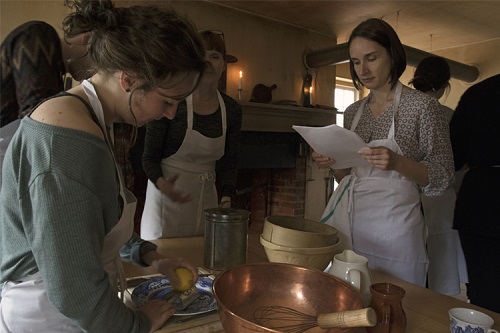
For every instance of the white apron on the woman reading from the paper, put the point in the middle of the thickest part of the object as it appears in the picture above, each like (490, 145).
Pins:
(385, 220)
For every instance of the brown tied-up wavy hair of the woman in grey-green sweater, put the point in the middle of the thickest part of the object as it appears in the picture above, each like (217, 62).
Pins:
(150, 43)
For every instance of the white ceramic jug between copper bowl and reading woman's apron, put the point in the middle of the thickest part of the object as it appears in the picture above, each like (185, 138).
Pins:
(353, 268)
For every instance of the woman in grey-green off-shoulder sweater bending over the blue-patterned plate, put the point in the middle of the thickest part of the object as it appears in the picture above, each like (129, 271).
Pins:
(66, 214)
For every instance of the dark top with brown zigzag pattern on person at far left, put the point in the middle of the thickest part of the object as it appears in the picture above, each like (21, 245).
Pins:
(31, 69)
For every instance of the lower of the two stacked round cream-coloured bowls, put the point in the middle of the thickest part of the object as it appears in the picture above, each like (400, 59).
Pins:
(311, 257)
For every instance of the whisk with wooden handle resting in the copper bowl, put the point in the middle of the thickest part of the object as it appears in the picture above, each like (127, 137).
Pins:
(288, 320)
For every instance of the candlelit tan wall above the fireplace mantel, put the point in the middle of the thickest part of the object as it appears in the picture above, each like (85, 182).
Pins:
(268, 52)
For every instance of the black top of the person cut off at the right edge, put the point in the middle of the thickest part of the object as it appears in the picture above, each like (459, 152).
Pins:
(475, 137)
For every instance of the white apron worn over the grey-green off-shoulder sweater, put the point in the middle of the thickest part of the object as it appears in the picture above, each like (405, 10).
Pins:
(25, 306)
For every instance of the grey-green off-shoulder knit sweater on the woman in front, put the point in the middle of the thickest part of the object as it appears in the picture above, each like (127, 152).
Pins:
(58, 200)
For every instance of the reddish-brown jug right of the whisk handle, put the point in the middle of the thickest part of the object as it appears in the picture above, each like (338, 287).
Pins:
(387, 303)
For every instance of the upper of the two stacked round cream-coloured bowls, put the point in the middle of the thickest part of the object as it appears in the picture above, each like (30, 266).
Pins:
(293, 231)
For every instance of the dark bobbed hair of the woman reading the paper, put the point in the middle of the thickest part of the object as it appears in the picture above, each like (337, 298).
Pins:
(381, 32)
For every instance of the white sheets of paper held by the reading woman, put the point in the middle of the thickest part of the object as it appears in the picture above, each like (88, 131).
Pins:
(335, 142)
